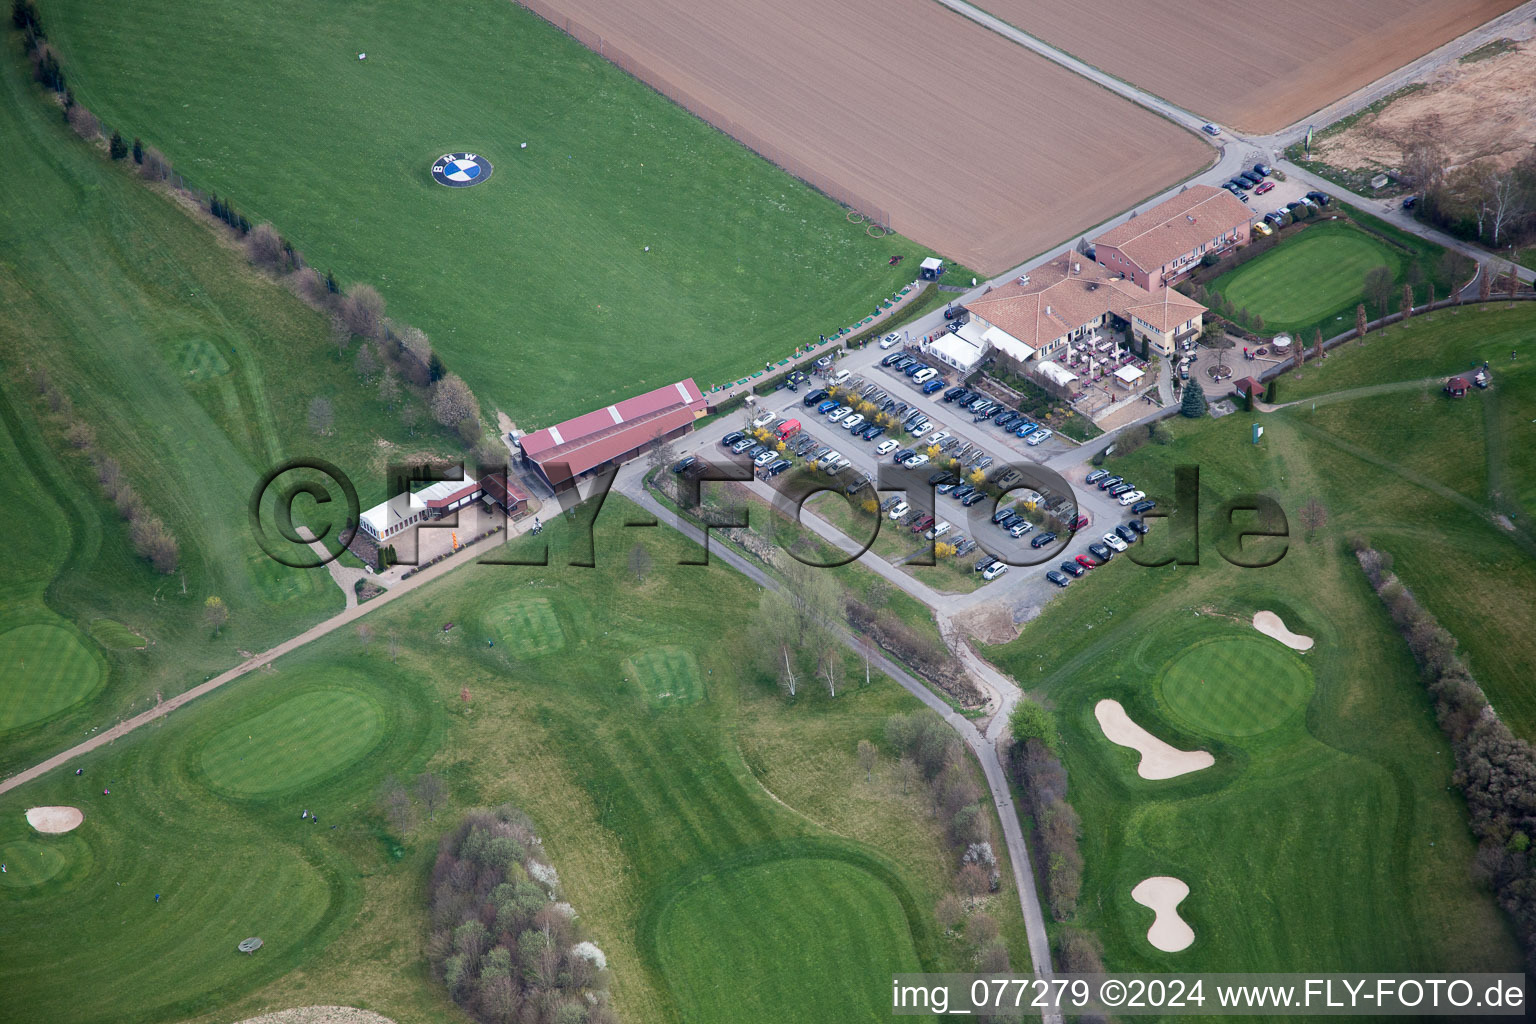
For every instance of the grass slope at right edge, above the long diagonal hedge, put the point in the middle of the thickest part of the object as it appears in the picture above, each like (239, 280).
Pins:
(1423, 475)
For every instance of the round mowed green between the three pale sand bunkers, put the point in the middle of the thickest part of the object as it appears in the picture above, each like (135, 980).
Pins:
(1236, 685)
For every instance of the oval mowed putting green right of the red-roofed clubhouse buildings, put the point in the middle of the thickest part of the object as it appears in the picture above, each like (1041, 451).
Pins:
(1308, 277)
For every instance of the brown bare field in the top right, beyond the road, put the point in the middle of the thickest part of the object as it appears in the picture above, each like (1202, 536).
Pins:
(1253, 65)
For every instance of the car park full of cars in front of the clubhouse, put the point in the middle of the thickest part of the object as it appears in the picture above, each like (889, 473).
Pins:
(972, 527)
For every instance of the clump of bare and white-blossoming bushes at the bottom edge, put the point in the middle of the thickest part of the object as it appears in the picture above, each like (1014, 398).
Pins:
(502, 942)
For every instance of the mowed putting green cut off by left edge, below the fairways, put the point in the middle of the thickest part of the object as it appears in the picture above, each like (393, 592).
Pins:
(44, 670)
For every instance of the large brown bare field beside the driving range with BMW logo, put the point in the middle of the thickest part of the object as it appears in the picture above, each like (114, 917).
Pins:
(972, 145)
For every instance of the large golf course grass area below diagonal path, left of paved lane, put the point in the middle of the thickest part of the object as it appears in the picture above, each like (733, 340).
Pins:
(638, 804)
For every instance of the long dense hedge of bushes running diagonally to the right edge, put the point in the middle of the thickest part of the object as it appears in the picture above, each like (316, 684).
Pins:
(1495, 770)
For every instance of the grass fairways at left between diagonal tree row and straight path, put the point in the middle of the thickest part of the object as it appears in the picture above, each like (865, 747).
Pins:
(116, 292)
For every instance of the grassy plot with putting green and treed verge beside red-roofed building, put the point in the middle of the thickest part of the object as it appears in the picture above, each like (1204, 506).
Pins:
(1316, 279)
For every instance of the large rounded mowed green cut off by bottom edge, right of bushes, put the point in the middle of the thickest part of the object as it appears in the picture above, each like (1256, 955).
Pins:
(764, 953)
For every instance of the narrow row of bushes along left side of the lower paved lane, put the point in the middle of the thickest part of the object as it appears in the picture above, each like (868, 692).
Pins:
(932, 753)
